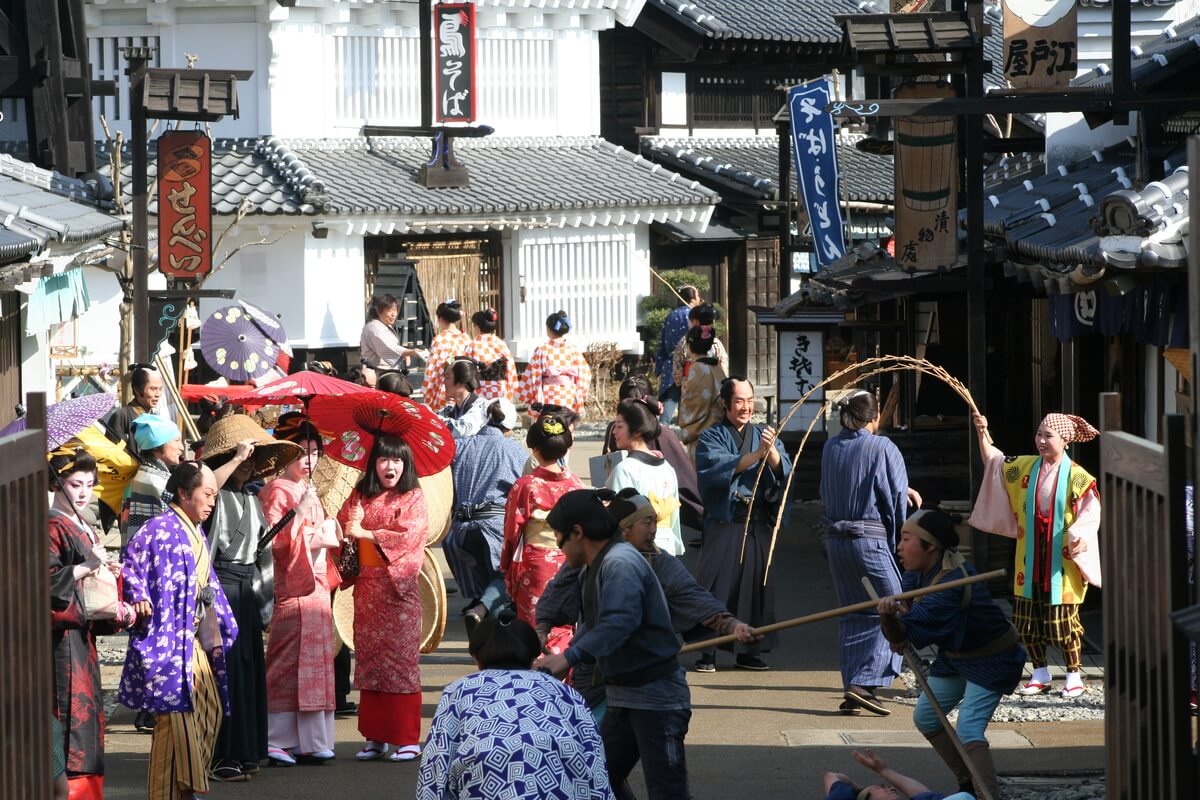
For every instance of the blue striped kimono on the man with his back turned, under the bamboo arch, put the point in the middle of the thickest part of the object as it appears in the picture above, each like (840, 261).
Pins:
(865, 488)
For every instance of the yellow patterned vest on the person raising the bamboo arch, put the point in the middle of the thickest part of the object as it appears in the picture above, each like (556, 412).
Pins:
(1069, 586)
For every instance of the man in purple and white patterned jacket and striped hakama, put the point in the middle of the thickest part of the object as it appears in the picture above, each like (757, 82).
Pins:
(176, 664)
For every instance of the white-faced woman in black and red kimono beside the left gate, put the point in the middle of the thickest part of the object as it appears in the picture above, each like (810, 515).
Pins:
(76, 552)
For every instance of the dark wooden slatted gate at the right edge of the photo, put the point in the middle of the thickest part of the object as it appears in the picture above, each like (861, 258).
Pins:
(1148, 727)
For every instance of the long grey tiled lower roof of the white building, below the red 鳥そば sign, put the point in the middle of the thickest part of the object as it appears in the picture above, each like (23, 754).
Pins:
(379, 177)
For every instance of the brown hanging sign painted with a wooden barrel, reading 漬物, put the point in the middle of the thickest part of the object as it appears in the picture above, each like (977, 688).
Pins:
(927, 170)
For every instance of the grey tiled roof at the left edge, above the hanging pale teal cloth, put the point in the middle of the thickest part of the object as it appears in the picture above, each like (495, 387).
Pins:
(38, 204)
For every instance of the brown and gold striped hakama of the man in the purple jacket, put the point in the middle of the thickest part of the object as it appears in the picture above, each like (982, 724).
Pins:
(183, 743)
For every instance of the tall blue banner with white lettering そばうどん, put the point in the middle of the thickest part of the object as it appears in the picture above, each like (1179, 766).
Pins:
(815, 148)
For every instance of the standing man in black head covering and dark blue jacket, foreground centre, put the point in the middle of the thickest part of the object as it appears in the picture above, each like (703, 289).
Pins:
(631, 641)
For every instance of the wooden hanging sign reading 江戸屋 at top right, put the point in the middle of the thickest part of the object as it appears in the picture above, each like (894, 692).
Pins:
(1041, 44)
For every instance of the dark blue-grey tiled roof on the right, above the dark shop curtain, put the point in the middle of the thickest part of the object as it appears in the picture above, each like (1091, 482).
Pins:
(1075, 226)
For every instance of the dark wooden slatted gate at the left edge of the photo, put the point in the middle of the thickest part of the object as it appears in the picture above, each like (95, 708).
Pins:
(26, 663)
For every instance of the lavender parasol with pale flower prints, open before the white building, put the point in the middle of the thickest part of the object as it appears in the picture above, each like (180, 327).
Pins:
(242, 342)
